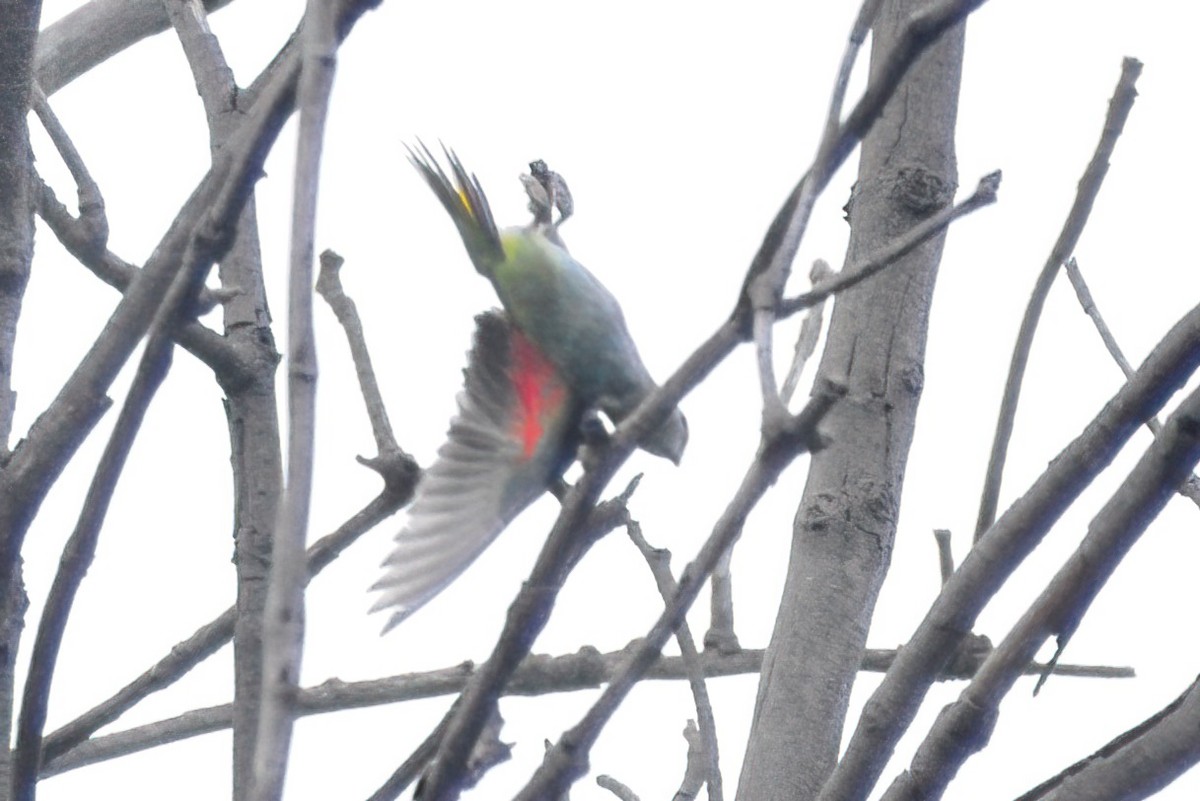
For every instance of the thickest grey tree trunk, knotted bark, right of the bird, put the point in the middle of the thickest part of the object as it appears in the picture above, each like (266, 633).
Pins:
(845, 526)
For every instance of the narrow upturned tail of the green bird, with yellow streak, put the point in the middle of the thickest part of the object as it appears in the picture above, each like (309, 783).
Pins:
(466, 203)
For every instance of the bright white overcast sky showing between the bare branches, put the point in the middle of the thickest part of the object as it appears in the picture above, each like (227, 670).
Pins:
(681, 129)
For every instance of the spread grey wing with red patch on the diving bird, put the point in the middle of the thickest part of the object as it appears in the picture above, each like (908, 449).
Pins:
(515, 432)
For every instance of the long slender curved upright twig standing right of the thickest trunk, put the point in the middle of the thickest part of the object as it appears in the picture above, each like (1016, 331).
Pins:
(1072, 230)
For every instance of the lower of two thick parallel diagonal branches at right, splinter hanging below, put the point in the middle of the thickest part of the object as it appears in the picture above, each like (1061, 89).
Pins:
(965, 727)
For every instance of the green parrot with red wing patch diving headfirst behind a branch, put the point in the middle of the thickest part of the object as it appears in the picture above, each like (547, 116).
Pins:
(559, 352)
